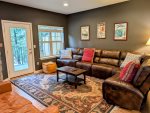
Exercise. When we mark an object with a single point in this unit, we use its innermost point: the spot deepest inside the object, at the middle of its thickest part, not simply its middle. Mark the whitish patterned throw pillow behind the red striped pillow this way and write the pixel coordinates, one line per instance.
(131, 57)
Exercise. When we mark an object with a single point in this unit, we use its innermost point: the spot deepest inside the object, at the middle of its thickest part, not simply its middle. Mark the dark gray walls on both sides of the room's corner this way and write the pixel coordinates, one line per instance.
(135, 12)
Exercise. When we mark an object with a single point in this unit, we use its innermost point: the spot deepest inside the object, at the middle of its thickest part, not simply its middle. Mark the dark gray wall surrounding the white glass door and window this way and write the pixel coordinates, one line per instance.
(36, 17)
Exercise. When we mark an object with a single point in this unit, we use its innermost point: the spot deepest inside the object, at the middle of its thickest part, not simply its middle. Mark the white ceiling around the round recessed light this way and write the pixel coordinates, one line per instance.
(57, 5)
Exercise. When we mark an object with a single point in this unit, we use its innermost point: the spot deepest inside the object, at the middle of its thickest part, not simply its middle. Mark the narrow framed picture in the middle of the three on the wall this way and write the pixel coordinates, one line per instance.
(101, 30)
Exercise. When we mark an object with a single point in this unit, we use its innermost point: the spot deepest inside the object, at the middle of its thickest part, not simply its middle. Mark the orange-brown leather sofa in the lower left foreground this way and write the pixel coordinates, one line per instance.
(11, 102)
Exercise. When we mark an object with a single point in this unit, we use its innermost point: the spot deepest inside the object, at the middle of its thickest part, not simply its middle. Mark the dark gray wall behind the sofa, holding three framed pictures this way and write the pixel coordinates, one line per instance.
(135, 12)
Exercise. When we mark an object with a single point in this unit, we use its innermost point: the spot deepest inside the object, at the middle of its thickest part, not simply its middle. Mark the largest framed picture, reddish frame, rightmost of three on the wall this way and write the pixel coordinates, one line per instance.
(121, 31)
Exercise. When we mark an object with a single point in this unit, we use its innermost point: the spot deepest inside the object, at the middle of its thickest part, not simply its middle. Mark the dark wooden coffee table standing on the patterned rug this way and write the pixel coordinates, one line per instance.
(72, 71)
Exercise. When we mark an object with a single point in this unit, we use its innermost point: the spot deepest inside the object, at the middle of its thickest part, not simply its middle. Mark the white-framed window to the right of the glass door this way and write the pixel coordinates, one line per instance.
(51, 40)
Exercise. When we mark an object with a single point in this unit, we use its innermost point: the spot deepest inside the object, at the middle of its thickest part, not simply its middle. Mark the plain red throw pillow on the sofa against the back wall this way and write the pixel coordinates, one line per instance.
(88, 55)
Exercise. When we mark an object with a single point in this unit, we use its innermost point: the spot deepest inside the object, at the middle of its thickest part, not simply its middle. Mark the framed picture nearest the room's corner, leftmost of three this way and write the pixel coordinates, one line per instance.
(85, 32)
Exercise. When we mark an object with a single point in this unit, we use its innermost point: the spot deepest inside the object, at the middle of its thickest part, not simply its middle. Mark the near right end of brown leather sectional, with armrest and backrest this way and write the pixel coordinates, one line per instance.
(128, 95)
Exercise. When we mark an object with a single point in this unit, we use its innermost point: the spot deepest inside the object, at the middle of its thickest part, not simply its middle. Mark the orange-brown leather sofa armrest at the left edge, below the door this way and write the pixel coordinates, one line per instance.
(5, 87)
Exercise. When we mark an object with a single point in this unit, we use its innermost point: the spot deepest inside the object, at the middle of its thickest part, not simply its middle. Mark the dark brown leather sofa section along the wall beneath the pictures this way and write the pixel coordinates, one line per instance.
(105, 63)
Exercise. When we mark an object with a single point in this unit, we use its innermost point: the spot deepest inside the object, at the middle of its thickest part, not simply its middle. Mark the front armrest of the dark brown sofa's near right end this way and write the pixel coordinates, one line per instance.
(118, 92)
